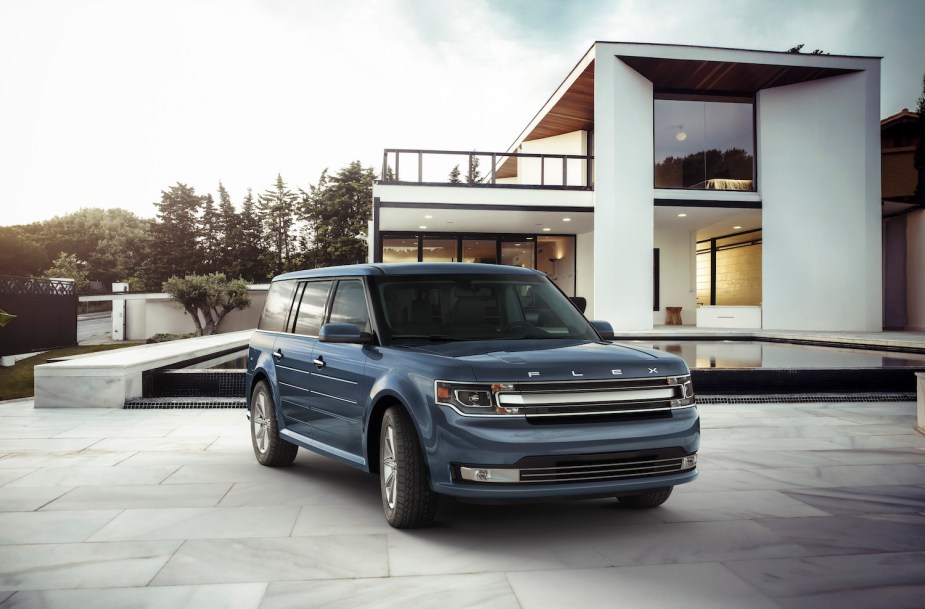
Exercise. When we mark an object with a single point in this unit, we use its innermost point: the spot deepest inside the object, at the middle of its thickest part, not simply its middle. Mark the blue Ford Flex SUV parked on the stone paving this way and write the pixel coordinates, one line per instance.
(481, 382)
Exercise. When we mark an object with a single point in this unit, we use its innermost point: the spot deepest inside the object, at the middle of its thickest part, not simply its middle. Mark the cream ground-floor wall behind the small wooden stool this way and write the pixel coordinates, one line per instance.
(677, 284)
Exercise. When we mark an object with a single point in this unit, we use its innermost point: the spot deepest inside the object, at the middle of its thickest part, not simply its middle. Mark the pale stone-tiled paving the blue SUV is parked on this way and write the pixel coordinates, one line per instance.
(798, 506)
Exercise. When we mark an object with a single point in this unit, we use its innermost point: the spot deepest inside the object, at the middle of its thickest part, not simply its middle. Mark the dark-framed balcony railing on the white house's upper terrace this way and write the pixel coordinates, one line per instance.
(464, 168)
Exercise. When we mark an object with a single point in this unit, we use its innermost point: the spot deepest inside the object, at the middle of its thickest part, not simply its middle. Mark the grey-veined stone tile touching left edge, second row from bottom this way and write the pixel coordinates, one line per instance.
(82, 565)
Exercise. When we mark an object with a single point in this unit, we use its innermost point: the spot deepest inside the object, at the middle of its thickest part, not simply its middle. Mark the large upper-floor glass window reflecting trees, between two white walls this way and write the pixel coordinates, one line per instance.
(704, 144)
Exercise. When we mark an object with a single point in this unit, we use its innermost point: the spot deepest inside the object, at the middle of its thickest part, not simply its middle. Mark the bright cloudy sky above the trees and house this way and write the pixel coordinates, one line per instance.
(107, 103)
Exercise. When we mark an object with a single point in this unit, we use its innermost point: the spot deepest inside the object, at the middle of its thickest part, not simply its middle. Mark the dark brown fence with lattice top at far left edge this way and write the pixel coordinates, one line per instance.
(46, 314)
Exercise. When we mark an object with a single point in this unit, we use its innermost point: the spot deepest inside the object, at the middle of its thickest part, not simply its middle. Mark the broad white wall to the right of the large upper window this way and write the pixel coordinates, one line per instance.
(819, 179)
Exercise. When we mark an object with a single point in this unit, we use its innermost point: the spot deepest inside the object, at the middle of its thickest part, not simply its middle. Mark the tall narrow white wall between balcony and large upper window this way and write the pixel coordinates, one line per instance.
(624, 191)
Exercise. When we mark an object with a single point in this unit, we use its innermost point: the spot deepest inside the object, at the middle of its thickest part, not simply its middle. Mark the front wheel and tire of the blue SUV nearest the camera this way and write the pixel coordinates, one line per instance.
(407, 500)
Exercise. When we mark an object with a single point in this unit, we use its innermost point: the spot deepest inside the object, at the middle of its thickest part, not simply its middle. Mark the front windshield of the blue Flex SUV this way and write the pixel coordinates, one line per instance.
(476, 307)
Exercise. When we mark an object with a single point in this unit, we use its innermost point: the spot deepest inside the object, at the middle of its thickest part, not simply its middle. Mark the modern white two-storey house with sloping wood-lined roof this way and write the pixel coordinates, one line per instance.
(664, 184)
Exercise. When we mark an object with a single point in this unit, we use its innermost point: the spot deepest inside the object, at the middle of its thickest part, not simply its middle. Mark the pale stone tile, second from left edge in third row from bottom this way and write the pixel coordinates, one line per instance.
(199, 523)
